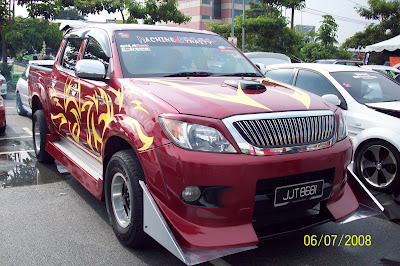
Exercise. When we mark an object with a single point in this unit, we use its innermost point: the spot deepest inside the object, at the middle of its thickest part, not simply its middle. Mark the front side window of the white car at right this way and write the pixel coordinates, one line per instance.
(317, 84)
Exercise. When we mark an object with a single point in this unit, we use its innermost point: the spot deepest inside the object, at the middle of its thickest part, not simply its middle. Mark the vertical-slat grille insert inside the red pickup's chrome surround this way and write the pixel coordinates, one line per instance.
(288, 131)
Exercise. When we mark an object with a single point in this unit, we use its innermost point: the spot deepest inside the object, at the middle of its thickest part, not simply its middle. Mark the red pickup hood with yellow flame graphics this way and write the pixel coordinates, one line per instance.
(213, 97)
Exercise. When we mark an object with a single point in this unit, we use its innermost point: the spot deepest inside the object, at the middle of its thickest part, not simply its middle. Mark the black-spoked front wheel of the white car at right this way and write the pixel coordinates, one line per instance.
(377, 165)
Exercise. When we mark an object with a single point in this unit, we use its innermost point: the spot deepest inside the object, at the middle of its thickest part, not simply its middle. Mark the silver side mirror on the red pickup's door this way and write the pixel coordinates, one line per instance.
(90, 69)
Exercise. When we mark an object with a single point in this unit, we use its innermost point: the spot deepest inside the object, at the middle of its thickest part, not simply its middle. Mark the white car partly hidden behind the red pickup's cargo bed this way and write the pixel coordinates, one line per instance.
(21, 90)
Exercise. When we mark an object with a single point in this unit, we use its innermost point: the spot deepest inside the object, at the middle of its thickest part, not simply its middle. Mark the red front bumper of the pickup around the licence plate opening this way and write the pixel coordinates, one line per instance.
(232, 225)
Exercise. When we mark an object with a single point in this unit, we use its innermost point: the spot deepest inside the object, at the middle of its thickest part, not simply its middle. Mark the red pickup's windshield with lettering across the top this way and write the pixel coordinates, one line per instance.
(168, 53)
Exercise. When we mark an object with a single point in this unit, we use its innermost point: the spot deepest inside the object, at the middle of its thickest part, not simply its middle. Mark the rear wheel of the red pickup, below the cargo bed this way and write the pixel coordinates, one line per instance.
(39, 132)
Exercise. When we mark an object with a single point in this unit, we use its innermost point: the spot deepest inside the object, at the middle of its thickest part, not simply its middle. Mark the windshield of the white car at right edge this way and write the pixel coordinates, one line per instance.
(369, 87)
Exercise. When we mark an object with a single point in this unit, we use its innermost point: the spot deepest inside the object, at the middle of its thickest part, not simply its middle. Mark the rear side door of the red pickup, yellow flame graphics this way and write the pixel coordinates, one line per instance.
(65, 101)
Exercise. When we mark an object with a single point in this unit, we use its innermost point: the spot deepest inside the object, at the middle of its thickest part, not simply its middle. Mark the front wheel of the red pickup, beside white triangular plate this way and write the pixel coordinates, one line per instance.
(122, 189)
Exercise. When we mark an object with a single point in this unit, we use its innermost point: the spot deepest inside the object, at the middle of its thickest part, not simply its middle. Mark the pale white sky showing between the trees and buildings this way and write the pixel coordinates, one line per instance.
(343, 11)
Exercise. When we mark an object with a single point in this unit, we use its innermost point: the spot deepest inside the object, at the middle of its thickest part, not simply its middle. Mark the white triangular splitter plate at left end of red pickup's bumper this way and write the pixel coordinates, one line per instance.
(155, 226)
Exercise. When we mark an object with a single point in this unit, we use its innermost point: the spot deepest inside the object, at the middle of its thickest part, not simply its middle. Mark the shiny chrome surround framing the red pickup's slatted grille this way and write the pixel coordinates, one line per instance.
(283, 131)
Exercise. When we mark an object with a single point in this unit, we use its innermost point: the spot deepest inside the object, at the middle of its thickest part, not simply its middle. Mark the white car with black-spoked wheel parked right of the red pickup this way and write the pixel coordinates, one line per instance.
(371, 104)
